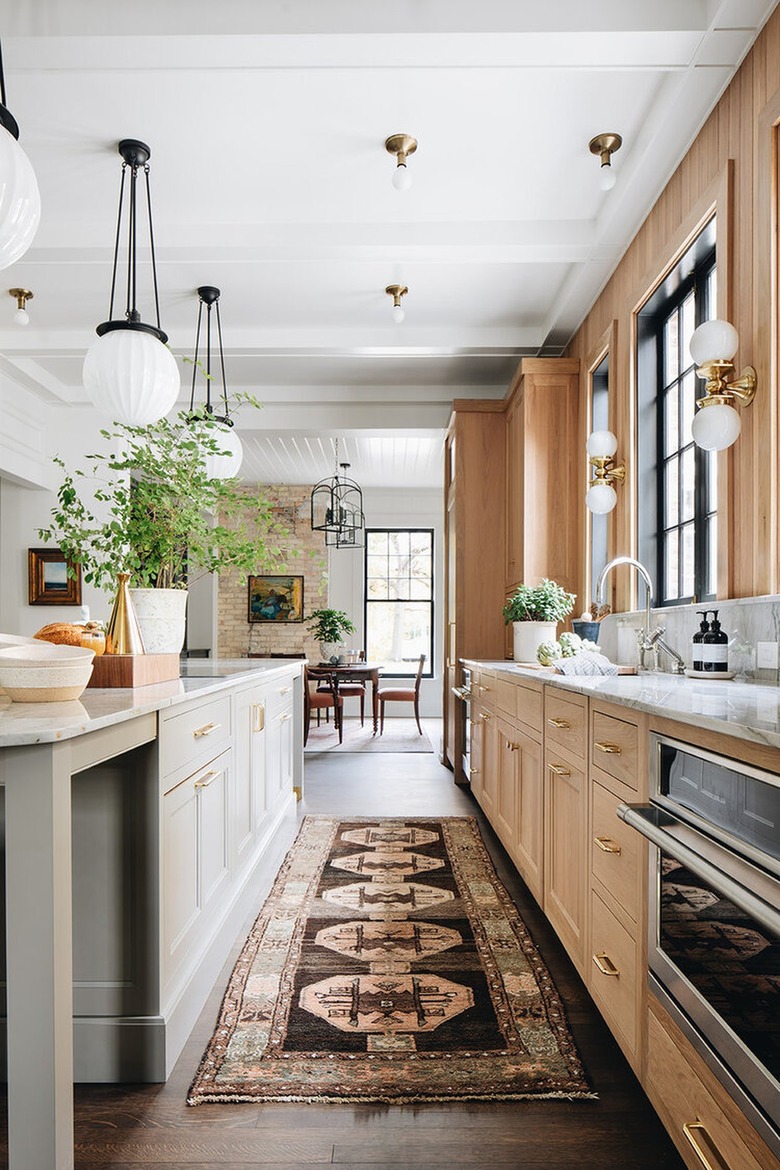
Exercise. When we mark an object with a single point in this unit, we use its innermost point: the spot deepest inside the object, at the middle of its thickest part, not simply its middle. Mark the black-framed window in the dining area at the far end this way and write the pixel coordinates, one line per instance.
(401, 598)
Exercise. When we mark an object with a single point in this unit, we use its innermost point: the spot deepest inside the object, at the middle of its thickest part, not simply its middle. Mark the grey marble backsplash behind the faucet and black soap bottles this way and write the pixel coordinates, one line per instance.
(747, 622)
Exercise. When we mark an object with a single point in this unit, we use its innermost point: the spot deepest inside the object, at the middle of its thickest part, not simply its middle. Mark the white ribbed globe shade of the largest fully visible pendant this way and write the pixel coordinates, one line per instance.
(132, 377)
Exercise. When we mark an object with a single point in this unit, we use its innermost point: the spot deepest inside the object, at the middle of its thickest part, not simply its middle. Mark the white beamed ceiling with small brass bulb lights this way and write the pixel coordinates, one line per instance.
(267, 123)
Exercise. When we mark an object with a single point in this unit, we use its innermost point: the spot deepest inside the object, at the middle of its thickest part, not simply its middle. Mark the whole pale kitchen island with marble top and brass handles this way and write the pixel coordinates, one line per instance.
(134, 823)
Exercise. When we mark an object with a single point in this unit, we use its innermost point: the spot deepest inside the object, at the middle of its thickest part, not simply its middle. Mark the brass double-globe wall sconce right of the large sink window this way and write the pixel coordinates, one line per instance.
(717, 424)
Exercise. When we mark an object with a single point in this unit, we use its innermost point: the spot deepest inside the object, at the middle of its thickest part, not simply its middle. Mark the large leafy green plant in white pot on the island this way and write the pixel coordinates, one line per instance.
(149, 507)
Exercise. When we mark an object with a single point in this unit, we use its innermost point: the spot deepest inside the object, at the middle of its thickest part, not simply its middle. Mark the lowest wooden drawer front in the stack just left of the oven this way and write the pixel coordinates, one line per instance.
(613, 972)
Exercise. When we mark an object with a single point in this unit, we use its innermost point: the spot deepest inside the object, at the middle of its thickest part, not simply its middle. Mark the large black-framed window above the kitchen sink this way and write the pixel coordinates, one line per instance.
(679, 506)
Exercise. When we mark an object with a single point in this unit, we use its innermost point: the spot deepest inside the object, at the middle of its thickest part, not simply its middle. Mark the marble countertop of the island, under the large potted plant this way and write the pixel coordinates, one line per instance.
(27, 724)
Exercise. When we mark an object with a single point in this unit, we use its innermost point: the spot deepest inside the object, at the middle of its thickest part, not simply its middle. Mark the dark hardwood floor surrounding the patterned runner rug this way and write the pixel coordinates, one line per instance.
(126, 1127)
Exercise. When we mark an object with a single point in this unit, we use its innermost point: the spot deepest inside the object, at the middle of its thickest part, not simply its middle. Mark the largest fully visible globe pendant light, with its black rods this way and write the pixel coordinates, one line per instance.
(129, 373)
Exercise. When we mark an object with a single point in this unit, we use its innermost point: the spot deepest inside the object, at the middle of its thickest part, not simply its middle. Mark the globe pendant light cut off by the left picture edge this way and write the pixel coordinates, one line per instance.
(20, 201)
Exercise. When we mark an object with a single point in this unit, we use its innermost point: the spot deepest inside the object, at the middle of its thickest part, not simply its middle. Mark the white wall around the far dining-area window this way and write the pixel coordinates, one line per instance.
(395, 508)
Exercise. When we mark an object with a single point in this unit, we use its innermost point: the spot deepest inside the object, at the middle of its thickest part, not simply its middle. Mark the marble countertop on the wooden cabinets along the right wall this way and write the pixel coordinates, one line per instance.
(746, 711)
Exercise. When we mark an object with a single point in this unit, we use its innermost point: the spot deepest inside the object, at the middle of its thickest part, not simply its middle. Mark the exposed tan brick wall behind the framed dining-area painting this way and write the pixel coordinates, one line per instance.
(306, 556)
